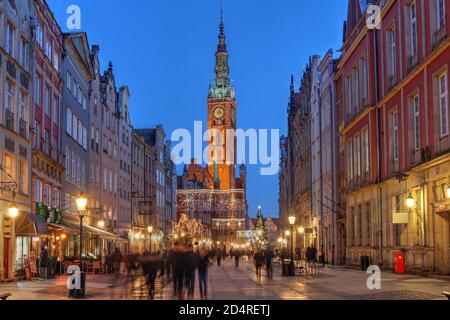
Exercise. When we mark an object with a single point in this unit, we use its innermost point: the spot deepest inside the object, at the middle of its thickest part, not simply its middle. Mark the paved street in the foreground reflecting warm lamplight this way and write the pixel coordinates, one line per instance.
(230, 283)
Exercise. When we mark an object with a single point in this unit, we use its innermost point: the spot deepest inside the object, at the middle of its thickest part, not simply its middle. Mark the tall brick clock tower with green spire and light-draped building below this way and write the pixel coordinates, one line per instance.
(223, 195)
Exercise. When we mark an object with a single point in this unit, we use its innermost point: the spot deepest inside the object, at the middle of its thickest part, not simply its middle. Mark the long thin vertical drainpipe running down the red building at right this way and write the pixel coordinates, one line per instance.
(379, 160)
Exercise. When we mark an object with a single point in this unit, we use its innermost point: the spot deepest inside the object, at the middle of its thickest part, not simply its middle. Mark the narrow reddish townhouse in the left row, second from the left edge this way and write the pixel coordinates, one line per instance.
(47, 169)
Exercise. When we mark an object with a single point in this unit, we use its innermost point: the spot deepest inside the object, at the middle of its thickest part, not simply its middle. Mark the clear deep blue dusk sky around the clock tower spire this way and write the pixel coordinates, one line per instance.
(164, 51)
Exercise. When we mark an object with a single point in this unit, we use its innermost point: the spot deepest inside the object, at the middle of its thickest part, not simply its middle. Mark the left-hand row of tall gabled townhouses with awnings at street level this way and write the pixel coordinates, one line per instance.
(65, 131)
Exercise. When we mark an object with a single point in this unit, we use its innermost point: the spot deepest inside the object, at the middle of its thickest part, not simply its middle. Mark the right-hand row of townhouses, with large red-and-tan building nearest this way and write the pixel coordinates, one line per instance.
(388, 99)
